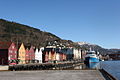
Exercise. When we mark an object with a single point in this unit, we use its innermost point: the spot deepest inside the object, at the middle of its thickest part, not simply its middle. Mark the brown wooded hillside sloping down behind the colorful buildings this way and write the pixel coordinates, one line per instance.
(18, 33)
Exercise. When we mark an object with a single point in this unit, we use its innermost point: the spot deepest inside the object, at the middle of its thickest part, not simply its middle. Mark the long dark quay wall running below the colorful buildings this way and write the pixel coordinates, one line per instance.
(45, 66)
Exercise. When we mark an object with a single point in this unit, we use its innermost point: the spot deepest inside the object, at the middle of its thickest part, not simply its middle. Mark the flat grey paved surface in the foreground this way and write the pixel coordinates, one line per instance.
(51, 75)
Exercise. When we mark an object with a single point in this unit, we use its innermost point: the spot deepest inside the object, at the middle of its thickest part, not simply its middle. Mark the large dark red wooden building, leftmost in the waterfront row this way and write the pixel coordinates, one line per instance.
(8, 53)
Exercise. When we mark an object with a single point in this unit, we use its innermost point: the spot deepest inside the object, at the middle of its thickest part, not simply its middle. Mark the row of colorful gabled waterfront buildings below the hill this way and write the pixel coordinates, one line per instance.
(10, 53)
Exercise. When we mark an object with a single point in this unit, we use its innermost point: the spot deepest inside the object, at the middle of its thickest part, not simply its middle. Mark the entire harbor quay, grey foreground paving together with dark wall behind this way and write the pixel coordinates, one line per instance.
(68, 71)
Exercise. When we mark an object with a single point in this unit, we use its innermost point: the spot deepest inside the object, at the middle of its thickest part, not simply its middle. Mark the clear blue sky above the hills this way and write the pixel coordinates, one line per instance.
(93, 21)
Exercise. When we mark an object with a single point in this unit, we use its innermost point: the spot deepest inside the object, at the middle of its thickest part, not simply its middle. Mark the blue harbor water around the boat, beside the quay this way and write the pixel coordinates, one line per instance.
(111, 67)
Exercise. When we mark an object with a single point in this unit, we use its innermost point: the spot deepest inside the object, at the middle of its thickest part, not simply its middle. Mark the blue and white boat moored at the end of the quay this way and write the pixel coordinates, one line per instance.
(91, 57)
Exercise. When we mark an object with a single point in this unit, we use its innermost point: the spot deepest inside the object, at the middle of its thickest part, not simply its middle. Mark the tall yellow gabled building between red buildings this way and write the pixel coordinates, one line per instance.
(21, 54)
